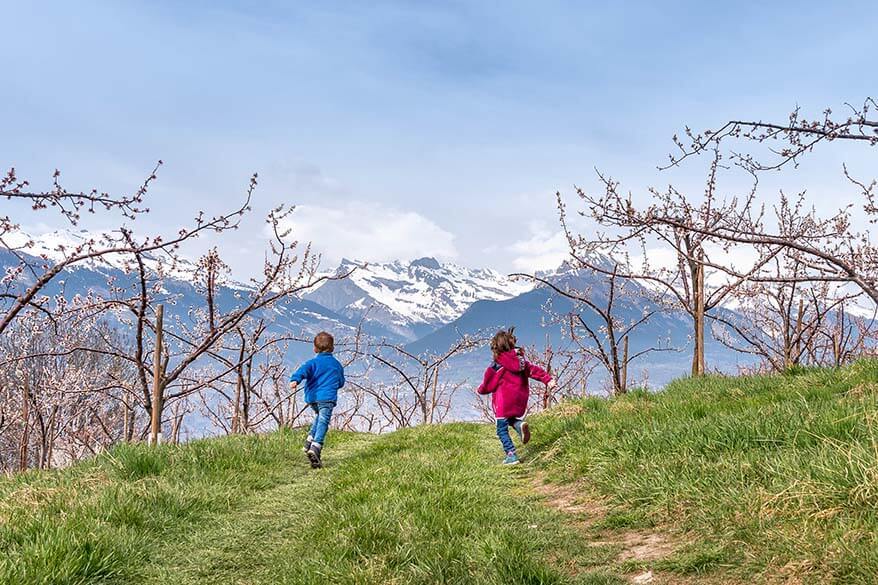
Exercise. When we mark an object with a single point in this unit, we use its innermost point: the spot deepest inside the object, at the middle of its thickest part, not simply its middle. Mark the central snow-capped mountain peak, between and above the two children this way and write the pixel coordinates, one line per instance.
(413, 298)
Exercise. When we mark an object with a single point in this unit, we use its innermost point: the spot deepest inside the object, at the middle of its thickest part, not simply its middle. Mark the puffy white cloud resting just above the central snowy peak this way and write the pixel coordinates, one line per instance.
(370, 232)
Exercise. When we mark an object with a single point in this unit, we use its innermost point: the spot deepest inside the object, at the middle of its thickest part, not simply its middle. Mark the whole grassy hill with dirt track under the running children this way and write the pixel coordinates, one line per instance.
(718, 480)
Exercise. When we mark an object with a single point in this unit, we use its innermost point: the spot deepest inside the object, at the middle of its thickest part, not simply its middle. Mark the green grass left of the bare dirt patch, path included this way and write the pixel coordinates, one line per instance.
(425, 505)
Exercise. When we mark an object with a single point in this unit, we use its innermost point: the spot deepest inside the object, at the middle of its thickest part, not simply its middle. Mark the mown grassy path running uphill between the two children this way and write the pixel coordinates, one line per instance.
(425, 505)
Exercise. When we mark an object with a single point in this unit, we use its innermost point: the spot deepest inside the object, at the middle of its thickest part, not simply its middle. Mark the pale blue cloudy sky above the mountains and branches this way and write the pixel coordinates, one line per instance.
(405, 129)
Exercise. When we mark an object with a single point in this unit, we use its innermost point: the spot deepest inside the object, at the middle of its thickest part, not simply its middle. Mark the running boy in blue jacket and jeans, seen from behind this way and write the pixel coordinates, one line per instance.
(323, 376)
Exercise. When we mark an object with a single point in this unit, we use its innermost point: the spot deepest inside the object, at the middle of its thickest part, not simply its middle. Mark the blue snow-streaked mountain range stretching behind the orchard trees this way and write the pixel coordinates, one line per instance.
(423, 304)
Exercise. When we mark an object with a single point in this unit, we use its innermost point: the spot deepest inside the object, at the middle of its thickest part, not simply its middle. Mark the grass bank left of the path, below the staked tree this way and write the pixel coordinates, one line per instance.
(102, 521)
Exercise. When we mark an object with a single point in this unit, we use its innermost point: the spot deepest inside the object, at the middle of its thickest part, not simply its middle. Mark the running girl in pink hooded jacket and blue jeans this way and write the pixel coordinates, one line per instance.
(506, 379)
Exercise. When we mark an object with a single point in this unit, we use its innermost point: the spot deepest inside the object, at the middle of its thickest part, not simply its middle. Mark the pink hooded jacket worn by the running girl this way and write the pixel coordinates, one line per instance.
(507, 380)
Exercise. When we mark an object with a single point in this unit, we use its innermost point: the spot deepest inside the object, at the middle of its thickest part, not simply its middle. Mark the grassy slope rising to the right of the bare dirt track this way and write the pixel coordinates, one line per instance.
(761, 476)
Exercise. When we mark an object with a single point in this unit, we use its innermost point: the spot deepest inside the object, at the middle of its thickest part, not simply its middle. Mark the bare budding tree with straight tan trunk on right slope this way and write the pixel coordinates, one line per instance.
(687, 284)
